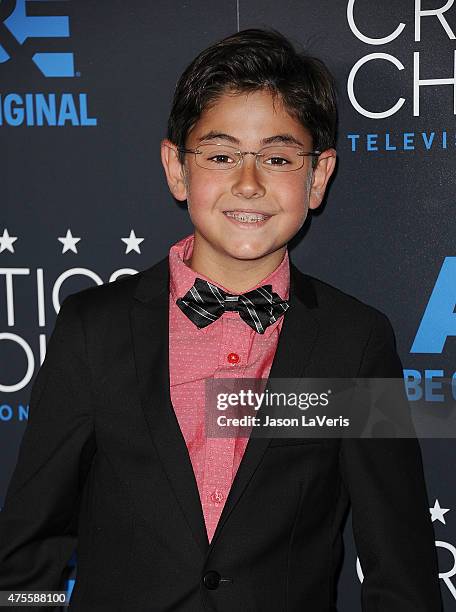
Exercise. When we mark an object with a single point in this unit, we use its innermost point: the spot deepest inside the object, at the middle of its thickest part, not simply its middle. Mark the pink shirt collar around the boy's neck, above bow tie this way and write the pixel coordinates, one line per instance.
(182, 277)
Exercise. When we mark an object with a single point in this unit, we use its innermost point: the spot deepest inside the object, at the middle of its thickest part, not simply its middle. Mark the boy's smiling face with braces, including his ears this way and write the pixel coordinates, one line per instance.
(284, 196)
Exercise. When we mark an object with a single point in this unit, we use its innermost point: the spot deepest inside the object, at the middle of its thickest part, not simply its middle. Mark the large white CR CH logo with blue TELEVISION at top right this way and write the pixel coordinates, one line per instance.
(411, 71)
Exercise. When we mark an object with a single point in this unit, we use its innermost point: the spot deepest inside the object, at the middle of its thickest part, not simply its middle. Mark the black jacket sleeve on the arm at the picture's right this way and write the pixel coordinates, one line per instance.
(391, 522)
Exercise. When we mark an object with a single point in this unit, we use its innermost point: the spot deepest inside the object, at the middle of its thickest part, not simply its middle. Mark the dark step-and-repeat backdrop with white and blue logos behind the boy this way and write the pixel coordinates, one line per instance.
(85, 90)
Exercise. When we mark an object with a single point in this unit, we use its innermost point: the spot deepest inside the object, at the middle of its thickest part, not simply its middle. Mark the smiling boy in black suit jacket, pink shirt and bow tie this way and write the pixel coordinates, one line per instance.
(166, 519)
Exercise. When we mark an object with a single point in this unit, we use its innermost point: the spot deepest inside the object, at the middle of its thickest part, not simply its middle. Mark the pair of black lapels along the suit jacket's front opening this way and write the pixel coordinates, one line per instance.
(150, 330)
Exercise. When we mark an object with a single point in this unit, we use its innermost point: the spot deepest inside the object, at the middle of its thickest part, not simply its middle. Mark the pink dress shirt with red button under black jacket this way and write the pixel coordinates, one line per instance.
(199, 354)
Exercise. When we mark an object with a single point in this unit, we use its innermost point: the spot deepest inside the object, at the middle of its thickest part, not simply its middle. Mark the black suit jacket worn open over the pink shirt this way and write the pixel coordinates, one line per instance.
(103, 466)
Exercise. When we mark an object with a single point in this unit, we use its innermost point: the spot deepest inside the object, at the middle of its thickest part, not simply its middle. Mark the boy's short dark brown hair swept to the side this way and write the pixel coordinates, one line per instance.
(251, 60)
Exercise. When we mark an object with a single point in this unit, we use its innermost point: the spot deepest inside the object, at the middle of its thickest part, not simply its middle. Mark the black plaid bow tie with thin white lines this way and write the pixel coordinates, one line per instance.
(204, 303)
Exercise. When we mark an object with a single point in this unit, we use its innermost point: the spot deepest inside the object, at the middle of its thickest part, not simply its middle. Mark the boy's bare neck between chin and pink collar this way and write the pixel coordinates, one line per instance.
(236, 275)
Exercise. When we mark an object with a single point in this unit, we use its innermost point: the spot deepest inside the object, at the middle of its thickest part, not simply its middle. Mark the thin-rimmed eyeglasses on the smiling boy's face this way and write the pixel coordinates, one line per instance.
(281, 158)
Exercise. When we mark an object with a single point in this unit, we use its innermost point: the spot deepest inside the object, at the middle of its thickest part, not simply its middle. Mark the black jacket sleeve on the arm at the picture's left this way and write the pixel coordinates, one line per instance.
(39, 517)
